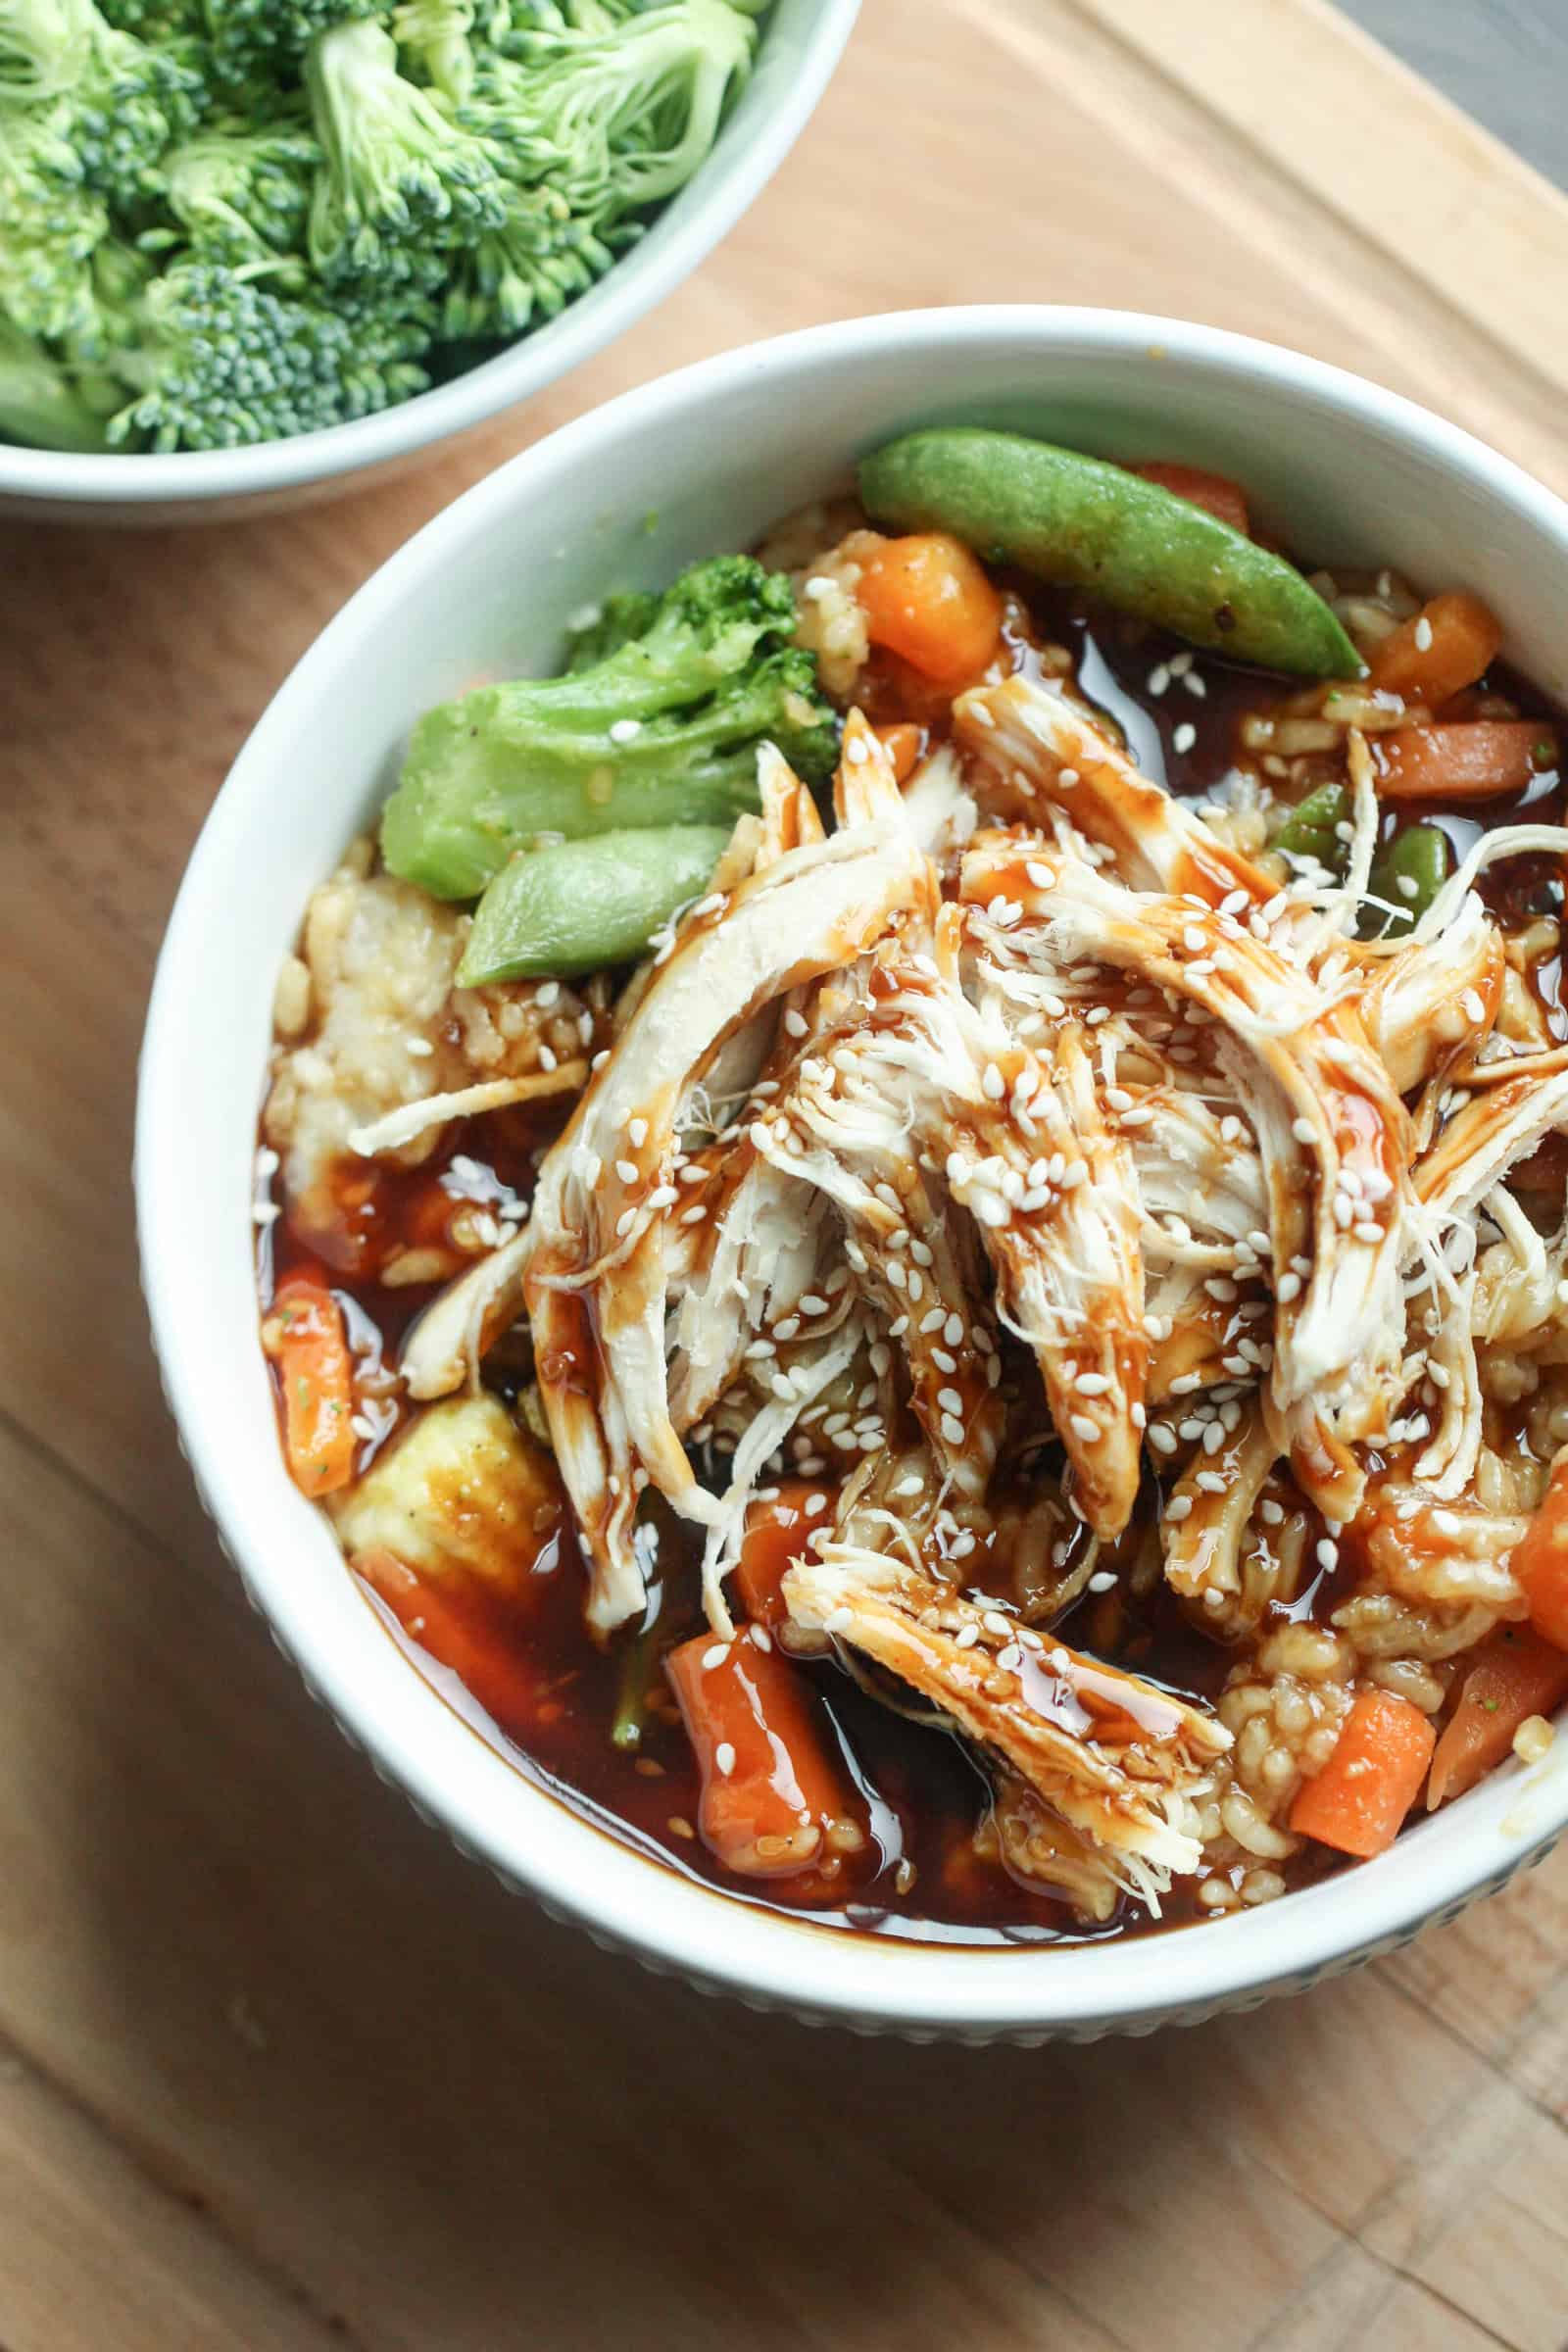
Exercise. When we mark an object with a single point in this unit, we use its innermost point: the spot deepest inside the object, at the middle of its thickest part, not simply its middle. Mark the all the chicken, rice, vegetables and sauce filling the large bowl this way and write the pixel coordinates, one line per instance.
(918, 1212)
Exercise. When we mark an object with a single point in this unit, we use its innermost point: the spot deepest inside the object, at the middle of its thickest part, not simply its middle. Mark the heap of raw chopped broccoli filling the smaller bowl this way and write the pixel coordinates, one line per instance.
(227, 222)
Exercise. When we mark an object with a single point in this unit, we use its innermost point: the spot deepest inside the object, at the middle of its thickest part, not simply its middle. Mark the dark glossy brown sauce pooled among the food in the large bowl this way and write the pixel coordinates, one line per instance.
(554, 1692)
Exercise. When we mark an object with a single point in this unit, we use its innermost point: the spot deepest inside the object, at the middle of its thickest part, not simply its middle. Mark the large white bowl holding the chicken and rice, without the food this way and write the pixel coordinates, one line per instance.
(1336, 467)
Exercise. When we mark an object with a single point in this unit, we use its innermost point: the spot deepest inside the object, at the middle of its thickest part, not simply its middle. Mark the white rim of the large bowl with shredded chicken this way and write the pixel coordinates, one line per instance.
(617, 1895)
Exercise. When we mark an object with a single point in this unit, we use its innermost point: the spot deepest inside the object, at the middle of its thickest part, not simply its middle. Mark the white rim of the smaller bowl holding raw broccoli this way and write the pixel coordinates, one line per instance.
(678, 243)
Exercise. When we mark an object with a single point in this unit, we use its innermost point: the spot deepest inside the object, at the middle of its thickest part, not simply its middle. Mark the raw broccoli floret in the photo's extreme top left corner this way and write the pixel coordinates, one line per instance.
(121, 100)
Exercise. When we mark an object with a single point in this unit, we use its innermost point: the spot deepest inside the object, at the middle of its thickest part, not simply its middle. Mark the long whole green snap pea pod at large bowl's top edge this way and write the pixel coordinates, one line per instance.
(1080, 523)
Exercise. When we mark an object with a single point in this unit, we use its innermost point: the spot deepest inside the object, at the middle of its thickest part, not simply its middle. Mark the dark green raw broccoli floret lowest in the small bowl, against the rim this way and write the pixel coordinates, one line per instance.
(220, 361)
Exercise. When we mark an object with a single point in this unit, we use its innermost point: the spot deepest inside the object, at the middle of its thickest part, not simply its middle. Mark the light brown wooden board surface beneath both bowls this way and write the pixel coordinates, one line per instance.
(276, 2066)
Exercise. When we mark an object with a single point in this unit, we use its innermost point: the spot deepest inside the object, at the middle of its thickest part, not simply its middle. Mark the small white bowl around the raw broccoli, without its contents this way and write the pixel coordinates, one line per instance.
(800, 46)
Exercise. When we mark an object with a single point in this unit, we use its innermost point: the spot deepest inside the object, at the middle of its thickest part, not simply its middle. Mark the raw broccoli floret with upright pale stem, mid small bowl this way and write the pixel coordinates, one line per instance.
(403, 185)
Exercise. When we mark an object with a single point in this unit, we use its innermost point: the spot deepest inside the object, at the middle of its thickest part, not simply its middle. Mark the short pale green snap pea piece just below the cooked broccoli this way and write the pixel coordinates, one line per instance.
(587, 904)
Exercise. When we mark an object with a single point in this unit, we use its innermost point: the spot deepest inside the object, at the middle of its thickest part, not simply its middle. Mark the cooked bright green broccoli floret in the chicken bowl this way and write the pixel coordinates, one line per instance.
(659, 730)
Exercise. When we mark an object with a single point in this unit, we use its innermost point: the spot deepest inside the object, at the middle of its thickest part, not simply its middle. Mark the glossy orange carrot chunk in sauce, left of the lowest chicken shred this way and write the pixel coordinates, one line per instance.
(770, 1791)
